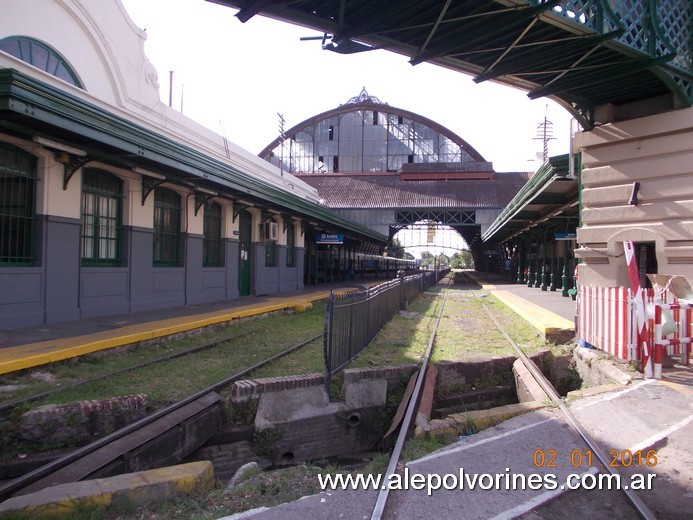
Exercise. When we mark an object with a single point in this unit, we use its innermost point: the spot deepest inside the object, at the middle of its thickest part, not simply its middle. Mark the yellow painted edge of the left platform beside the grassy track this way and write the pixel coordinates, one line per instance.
(30, 355)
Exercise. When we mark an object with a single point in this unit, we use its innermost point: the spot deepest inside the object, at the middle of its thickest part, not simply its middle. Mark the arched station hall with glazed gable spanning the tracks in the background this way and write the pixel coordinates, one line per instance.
(389, 169)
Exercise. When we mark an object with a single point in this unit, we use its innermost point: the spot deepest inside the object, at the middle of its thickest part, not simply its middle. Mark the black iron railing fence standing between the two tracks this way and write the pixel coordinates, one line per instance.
(353, 319)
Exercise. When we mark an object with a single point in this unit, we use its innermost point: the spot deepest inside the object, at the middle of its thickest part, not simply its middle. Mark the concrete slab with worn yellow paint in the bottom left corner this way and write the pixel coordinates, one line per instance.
(131, 489)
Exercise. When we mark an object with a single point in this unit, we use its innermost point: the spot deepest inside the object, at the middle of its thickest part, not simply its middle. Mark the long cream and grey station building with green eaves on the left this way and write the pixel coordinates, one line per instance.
(111, 201)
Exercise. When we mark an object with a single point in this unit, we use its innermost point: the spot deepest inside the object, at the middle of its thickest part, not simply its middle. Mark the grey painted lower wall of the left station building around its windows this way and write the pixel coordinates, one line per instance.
(59, 289)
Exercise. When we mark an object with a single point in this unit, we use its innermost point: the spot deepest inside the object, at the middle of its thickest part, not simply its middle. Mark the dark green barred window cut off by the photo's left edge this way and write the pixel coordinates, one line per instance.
(17, 206)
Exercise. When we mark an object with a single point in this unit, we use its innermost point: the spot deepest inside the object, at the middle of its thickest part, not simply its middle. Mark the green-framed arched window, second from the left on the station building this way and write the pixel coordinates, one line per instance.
(102, 208)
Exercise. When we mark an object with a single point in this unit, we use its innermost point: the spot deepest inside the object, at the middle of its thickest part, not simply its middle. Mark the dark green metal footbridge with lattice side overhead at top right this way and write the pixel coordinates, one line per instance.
(584, 54)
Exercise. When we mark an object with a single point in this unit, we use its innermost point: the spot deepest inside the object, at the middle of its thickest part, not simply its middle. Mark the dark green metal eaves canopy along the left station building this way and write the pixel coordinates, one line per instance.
(31, 108)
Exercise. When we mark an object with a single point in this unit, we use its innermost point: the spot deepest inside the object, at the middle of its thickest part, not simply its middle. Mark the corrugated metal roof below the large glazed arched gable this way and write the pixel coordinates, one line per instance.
(388, 191)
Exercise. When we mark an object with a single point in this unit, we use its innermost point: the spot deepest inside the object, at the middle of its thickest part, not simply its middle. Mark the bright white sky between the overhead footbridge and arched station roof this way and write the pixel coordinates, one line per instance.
(235, 79)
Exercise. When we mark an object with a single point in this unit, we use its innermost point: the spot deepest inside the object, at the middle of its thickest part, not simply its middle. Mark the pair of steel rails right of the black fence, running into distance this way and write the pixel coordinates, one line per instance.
(381, 504)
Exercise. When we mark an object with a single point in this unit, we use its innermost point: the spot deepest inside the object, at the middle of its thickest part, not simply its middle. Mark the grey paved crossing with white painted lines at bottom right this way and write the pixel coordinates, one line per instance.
(541, 450)
